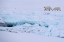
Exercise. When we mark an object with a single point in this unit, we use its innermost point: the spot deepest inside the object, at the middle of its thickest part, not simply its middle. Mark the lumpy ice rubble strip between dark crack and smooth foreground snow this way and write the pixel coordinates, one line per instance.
(44, 31)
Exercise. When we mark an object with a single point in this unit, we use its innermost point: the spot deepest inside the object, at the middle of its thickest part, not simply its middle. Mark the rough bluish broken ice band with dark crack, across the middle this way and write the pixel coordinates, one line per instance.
(42, 23)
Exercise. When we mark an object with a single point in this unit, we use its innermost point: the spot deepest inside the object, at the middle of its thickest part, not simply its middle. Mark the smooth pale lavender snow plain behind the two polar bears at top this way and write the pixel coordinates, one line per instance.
(28, 5)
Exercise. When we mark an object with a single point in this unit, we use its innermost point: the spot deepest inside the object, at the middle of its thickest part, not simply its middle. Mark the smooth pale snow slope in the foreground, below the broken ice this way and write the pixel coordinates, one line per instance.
(26, 37)
